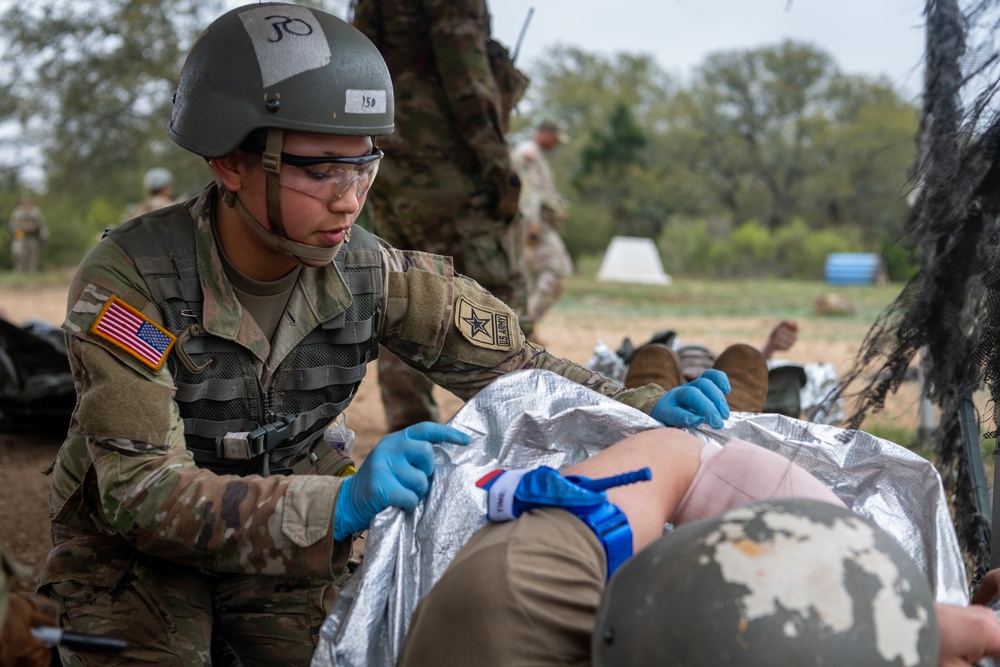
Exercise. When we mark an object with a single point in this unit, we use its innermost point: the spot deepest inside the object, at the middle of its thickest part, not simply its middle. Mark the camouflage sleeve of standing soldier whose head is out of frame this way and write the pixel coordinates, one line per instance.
(458, 33)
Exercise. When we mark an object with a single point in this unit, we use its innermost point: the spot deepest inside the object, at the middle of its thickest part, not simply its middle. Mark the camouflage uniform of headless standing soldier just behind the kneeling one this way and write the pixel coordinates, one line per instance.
(445, 185)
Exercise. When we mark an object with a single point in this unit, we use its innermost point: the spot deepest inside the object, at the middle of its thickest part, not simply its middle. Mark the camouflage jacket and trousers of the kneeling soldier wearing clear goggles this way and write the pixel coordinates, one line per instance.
(154, 544)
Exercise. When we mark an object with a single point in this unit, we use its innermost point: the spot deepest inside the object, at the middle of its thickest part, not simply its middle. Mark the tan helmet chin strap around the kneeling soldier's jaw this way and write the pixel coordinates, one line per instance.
(306, 255)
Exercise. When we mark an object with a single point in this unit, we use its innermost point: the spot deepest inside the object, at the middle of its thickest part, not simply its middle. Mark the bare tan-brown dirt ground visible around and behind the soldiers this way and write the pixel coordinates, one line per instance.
(24, 528)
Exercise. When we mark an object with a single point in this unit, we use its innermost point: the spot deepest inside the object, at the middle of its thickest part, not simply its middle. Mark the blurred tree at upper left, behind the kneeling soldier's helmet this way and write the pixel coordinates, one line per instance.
(93, 84)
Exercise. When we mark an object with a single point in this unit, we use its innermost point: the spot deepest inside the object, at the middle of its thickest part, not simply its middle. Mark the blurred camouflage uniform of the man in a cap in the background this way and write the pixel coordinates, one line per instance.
(547, 262)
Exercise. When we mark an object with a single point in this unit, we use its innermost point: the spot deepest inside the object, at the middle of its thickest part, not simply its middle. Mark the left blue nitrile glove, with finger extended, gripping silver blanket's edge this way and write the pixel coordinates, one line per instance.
(396, 473)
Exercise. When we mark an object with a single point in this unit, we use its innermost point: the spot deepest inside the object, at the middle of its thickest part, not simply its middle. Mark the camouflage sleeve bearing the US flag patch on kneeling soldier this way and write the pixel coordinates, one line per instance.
(128, 431)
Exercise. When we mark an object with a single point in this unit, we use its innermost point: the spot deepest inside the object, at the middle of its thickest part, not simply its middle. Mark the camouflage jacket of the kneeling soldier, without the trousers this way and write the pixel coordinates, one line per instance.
(133, 466)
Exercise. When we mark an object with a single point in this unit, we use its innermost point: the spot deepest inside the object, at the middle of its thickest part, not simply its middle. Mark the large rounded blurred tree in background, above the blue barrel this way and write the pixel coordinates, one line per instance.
(780, 131)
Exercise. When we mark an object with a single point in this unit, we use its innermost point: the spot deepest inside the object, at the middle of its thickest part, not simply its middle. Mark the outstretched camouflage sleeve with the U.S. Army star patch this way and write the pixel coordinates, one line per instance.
(463, 338)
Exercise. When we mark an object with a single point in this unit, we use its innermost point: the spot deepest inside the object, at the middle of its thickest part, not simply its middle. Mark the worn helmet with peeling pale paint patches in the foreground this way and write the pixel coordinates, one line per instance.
(778, 582)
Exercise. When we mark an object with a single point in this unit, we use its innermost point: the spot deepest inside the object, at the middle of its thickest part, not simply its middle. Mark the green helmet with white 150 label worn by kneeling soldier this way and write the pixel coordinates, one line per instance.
(282, 66)
